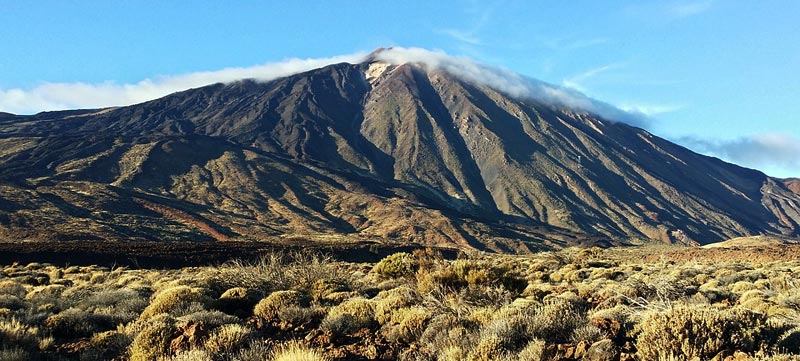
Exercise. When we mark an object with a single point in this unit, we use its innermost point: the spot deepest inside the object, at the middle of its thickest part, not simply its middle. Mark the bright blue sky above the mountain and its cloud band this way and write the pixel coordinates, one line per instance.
(721, 77)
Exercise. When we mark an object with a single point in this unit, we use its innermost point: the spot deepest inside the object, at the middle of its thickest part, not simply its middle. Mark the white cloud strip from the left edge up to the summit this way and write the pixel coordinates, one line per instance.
(58, 96)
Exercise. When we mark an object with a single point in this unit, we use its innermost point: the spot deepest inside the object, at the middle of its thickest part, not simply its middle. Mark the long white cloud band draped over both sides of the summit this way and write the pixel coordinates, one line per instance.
(55, 96)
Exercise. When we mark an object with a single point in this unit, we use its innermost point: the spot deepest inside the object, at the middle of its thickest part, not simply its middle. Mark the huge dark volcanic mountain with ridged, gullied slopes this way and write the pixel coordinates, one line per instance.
(396, 152)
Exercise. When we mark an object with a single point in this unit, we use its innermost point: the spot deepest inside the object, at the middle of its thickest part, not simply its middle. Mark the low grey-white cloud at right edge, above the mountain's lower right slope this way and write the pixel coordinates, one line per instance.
(766, 151)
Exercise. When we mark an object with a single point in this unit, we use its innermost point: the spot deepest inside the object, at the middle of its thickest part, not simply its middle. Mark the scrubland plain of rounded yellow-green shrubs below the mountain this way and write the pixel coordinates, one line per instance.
(655, 303)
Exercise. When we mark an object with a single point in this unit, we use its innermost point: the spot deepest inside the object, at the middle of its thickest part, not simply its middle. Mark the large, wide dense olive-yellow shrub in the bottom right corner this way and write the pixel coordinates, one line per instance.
(698, 332)
